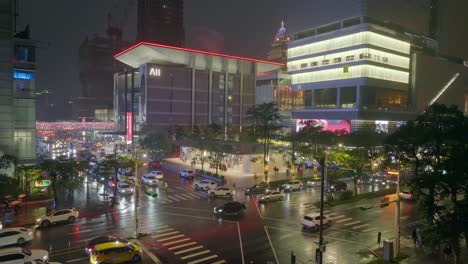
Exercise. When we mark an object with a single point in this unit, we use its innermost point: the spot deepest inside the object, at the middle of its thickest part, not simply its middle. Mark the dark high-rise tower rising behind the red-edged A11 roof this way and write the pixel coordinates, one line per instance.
(161, 21)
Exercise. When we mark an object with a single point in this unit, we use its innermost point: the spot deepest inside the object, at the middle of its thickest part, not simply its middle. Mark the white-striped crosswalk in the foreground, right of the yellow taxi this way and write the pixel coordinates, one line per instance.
(183, 247)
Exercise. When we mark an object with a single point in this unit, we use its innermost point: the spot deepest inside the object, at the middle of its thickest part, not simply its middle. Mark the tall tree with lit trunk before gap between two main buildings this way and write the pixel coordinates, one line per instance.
(265, 121)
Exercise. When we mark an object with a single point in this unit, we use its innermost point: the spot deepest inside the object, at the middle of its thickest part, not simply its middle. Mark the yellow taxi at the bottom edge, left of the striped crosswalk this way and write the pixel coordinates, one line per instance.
(115, 252)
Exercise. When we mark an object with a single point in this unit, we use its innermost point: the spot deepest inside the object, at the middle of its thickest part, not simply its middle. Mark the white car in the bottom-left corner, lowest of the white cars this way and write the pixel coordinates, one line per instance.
(22, 255)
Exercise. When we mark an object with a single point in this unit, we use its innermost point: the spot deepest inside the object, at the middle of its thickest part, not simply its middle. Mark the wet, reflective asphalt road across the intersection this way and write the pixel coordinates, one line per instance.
(180, 227)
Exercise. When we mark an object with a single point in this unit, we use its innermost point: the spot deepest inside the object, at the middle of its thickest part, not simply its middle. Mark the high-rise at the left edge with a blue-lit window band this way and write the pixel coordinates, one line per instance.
(17, 88)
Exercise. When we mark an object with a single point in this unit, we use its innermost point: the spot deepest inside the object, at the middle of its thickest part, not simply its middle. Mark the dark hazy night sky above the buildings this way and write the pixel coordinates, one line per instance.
(240, 27)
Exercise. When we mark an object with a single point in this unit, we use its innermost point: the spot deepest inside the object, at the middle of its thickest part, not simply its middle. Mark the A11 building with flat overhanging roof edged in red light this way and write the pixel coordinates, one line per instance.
(173, 86)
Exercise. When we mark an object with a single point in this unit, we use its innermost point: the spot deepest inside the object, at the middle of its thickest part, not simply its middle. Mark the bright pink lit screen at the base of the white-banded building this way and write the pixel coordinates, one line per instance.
(334, 126)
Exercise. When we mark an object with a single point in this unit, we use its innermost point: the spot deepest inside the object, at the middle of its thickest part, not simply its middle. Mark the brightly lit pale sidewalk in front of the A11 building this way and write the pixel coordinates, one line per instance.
(240, 179)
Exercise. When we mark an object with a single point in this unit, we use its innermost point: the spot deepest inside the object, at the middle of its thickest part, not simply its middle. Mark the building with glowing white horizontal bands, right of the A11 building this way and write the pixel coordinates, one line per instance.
(368, 73)
